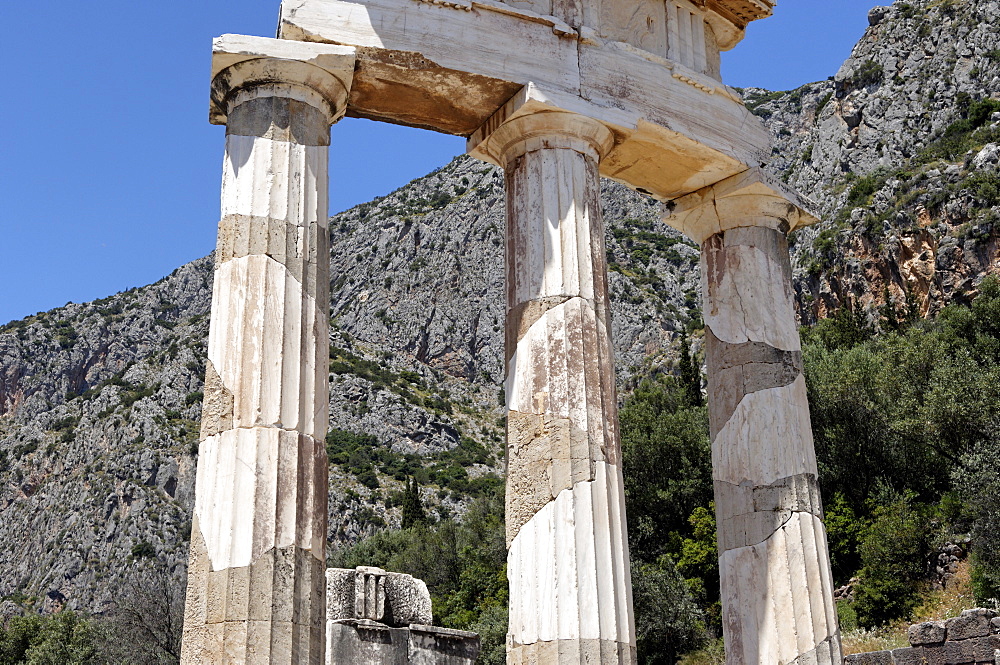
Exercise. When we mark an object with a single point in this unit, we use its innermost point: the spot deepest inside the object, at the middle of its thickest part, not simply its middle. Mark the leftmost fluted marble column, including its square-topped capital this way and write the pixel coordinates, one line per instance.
(256, 578)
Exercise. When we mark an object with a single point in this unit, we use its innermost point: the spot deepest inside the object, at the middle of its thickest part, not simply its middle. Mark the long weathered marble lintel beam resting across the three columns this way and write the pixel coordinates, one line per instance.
(449, 69)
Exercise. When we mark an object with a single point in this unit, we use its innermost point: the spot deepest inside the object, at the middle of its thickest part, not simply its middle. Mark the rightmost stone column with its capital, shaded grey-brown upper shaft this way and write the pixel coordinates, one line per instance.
(777, 588)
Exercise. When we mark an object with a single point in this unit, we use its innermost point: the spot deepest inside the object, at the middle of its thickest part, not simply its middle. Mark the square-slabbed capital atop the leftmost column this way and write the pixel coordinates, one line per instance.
(245, 68)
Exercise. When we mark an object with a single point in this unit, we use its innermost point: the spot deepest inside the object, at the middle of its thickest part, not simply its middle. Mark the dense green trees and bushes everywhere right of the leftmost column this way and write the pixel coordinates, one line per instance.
(905, 419)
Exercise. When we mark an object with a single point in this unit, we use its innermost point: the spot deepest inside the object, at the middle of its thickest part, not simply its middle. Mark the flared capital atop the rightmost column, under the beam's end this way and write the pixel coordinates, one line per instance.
(751, 198)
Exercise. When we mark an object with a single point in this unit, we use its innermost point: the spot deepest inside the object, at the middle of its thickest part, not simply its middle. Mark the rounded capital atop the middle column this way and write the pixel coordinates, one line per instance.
(548, 129)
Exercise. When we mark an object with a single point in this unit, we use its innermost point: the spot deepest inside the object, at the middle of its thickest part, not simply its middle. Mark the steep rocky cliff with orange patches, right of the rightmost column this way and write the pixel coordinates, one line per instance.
(900, 150)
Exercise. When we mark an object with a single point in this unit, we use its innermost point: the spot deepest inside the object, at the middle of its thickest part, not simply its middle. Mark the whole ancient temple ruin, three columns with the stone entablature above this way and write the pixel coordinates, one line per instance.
(559, 93)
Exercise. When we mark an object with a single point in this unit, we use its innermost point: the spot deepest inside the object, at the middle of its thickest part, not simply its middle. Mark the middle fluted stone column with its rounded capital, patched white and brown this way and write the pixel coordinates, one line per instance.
(568, 562)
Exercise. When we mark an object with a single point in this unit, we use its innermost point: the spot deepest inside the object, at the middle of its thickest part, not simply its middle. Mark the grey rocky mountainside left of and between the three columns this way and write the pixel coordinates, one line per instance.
(100, 402)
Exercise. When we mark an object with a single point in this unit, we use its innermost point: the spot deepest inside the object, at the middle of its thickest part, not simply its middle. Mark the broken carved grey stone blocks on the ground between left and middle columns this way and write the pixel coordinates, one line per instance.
(376, 617)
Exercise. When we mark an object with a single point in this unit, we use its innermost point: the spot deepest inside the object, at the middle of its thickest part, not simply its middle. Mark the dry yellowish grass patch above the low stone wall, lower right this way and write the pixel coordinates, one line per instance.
(935, 605)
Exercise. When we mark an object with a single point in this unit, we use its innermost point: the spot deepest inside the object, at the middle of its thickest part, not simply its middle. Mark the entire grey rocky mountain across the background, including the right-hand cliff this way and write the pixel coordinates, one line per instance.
(100, 402)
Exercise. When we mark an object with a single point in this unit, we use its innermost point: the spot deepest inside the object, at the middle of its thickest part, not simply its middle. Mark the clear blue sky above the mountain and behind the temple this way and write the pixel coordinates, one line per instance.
(109, 170)
